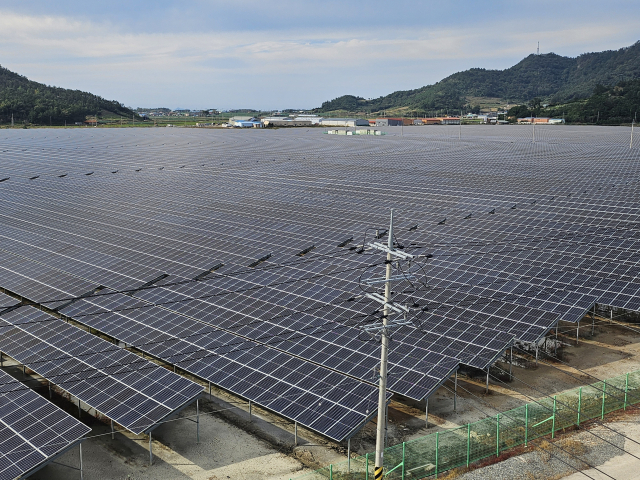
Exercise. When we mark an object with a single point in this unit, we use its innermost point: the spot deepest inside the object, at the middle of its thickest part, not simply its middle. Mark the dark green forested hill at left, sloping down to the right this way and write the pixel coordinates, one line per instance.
(41, 104)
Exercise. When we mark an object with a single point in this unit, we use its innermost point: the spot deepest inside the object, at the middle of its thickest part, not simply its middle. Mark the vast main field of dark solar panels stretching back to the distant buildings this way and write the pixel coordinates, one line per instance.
(522, 234)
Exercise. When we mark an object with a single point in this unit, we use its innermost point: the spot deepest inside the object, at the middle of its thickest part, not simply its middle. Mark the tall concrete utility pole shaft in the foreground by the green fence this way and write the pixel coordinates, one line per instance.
(382, 394)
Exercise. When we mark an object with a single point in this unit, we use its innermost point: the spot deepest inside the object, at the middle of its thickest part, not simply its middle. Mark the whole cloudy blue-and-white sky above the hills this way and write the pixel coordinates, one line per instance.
(289, 54)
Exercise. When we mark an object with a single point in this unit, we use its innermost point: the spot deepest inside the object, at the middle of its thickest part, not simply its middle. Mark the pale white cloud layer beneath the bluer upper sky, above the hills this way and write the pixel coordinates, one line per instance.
(271, 68)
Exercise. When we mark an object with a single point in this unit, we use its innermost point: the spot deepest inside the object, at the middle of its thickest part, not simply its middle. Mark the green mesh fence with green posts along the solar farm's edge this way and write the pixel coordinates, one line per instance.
(441, 451)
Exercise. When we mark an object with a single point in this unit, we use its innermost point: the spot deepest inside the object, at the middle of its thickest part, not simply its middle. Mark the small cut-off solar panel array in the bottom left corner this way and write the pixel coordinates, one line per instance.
(33, 431)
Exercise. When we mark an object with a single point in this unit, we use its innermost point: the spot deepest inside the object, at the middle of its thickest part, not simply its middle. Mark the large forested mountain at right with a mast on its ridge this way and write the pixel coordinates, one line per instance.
(551, 77)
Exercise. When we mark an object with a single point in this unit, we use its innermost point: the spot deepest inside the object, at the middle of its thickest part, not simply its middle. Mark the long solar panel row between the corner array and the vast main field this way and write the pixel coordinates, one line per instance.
(132, 391)
